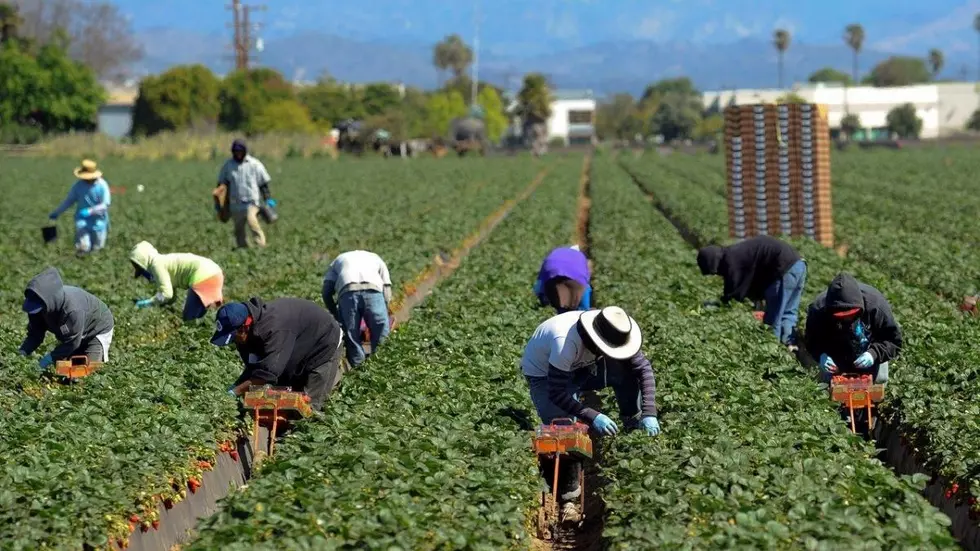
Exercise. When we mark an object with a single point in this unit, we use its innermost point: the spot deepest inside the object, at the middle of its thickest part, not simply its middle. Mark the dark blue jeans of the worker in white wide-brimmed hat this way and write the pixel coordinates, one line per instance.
(614, 374)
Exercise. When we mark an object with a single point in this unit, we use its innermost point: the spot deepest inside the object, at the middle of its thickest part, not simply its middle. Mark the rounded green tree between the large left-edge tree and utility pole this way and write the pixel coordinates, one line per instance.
(181, 97)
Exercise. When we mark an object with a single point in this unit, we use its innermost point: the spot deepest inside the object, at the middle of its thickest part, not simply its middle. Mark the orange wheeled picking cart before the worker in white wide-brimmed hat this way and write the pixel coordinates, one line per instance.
(563, 437)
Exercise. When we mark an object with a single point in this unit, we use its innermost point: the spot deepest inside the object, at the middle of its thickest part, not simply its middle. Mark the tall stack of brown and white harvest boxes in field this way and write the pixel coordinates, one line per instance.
(778, 161)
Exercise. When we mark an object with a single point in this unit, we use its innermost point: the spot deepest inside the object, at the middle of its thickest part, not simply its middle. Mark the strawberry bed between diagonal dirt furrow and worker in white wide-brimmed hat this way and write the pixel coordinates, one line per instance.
(425, 446)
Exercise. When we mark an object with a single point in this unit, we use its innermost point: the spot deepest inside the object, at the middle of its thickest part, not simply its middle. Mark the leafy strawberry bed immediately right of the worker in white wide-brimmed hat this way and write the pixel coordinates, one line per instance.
(753, 454)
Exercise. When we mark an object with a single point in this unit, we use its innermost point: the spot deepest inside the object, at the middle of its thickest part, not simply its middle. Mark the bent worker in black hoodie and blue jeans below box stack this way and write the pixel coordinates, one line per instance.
(757, 268)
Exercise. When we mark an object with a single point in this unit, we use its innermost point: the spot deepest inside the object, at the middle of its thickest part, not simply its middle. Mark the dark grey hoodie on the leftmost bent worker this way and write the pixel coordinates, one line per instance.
(72, 315)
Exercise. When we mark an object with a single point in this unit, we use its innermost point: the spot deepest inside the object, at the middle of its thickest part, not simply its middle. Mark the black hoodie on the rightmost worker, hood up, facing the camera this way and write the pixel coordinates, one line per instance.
(826, 335)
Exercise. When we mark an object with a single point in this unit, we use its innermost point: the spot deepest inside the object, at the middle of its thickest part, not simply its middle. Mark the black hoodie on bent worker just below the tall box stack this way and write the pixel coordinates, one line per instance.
(748, 267)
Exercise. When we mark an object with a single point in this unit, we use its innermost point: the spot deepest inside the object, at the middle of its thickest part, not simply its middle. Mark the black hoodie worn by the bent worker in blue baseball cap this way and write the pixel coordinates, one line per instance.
(289, 338)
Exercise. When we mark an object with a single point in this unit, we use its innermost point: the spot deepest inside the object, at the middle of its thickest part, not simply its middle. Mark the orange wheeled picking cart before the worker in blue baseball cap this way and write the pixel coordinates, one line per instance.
(274, 409)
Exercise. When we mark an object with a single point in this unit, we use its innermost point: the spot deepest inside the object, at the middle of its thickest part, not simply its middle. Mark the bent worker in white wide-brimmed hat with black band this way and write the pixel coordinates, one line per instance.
(576, 351)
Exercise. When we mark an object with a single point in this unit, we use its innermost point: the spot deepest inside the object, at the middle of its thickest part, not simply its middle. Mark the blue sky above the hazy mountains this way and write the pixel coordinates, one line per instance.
(513, 27)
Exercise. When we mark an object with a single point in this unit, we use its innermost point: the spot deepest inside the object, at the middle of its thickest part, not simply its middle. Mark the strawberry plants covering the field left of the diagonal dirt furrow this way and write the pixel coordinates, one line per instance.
(76, 461)
